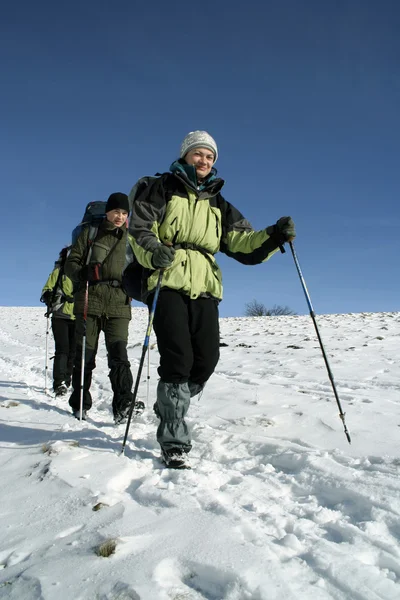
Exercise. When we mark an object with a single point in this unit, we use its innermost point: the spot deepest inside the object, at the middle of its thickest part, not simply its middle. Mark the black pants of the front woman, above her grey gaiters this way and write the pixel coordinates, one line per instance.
(187, 337)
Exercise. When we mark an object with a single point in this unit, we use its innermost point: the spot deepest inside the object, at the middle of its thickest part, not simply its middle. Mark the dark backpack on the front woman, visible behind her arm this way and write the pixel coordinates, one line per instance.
(134, 276)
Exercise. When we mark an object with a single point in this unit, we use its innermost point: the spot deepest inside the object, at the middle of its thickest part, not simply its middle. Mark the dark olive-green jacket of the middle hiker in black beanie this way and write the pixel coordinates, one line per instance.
(108, 248)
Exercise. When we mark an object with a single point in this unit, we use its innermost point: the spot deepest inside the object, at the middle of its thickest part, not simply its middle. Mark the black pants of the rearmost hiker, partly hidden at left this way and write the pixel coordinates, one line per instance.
(64, 338)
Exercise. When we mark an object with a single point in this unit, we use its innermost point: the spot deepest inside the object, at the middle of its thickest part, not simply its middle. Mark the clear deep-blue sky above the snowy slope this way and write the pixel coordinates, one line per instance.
(302, 97)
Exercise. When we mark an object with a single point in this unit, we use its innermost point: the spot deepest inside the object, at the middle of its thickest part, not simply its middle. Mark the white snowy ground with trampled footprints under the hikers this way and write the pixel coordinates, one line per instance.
(277, 506)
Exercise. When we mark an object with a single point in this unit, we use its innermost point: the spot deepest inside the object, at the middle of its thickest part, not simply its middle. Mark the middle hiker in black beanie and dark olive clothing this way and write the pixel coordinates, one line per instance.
(108, 307)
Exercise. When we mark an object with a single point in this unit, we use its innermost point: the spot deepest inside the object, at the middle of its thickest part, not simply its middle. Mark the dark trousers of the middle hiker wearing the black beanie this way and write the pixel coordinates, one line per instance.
(116, 336)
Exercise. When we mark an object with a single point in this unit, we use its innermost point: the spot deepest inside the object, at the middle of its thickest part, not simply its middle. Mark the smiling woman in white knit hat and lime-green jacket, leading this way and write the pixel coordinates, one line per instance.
(178, 223)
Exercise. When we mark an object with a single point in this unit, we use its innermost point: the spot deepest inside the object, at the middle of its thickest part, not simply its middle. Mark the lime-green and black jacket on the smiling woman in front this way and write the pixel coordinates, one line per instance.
(174, 209)
